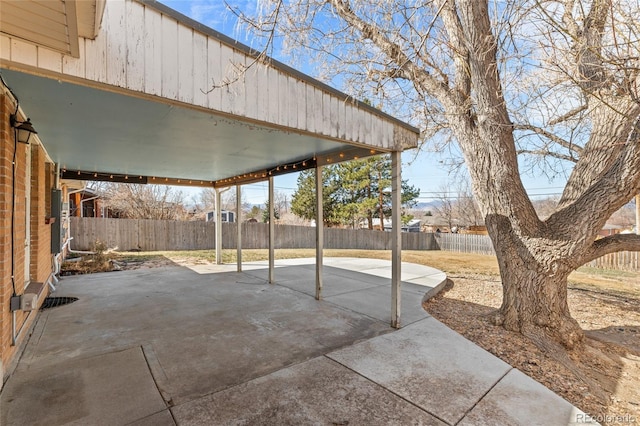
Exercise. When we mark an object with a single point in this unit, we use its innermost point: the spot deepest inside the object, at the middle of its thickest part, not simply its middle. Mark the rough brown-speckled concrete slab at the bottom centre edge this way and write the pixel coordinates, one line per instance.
(316, 392)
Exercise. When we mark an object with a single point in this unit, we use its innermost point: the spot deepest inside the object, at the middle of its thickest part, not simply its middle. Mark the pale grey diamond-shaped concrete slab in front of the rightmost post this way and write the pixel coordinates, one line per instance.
(441, 372)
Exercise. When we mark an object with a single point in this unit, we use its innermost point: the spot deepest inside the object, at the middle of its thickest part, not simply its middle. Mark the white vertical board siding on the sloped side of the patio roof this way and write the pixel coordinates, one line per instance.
(143, 50)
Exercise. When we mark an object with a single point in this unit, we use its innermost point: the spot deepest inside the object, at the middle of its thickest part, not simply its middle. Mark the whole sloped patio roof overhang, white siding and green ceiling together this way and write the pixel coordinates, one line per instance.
(111, 115)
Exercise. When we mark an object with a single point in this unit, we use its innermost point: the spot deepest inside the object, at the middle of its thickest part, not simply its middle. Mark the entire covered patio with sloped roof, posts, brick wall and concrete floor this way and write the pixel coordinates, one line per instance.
(132, 91)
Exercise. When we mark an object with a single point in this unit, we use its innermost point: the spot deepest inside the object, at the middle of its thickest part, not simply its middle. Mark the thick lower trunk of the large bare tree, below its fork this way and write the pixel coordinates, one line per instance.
(534, 275)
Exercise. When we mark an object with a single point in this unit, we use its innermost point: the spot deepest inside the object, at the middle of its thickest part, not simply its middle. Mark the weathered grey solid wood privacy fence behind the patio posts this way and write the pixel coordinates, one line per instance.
(158, 235)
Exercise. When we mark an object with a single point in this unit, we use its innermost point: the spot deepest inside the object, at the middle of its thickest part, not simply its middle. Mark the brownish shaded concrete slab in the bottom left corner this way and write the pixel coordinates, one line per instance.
(107, 389)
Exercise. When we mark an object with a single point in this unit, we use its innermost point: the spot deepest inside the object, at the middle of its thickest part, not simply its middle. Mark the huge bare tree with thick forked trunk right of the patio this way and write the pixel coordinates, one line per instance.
(555, 82)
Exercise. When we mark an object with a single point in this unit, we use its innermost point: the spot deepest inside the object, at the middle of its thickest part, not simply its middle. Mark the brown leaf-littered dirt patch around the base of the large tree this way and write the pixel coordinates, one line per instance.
(604, 381)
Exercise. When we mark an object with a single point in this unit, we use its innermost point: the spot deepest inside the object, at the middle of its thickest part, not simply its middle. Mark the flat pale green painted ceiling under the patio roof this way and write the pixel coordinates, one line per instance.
(95, 130)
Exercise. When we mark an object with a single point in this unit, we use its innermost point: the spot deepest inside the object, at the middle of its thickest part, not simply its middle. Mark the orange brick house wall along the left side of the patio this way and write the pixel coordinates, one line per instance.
(40, 262)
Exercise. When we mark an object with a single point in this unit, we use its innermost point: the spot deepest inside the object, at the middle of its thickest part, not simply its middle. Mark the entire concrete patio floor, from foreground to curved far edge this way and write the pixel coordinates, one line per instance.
(209, 345)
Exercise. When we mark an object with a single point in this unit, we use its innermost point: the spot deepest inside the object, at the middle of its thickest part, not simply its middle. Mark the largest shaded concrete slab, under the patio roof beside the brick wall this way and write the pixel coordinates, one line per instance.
(207, 332)
